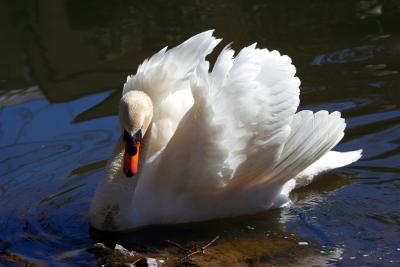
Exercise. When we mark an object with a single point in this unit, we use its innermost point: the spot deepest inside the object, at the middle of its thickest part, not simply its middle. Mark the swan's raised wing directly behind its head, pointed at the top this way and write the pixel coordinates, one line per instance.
(164, 77)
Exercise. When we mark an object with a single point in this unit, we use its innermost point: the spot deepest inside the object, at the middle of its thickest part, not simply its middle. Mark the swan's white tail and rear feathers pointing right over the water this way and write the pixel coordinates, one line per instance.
(307, 150)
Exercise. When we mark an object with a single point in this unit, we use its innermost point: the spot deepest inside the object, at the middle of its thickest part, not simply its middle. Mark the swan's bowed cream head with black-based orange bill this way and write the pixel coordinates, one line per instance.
(135, 114)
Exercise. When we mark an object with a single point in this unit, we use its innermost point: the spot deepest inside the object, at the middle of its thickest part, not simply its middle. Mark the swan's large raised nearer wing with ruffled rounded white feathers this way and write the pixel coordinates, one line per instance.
(239, 123)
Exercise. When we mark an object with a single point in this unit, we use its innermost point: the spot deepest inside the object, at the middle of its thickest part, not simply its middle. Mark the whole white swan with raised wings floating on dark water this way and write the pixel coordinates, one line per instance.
(197, 145)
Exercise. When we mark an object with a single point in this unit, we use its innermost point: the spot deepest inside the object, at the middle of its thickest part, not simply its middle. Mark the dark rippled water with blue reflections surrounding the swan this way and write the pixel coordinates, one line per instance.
(62, 67)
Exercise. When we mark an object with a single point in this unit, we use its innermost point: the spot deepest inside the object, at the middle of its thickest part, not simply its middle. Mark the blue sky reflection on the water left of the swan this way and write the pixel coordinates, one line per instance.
(41, 151)
